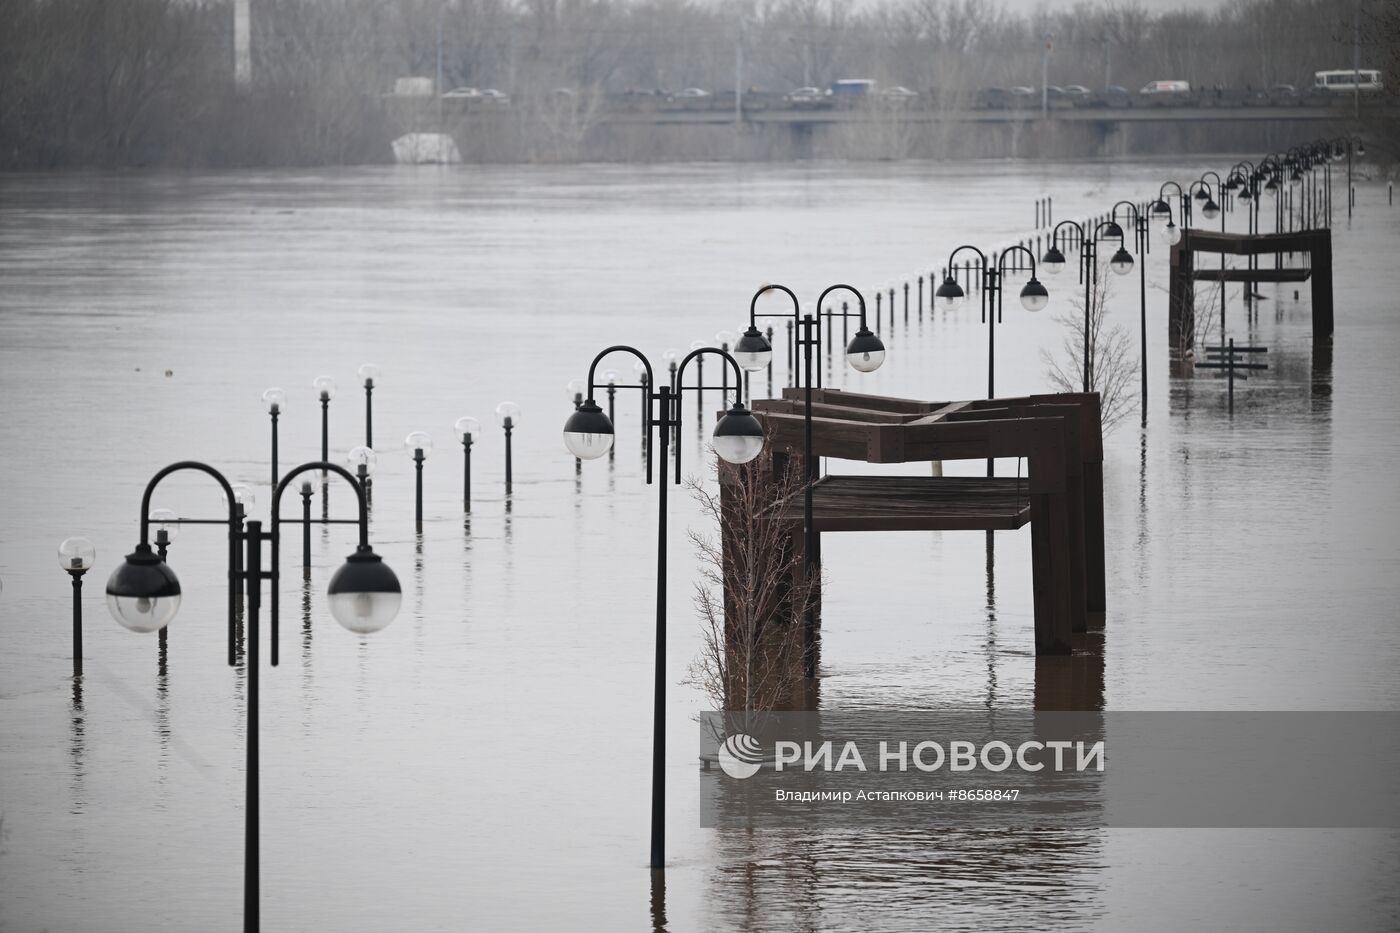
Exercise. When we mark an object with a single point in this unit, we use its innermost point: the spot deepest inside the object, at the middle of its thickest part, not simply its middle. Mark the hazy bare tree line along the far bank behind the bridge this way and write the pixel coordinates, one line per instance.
(129, 83)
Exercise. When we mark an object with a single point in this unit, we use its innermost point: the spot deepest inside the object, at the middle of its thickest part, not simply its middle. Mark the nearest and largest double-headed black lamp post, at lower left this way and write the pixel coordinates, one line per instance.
(143, 595)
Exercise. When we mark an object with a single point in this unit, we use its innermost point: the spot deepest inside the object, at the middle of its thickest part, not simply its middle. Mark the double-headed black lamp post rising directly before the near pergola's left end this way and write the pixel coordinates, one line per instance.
(866, 354)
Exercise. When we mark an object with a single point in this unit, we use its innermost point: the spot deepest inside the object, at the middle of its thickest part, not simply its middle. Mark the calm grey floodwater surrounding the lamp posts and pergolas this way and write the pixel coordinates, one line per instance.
(485, 761)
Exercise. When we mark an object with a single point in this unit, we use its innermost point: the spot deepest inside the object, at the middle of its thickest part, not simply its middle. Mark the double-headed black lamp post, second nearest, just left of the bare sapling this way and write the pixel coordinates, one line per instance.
(589, 435)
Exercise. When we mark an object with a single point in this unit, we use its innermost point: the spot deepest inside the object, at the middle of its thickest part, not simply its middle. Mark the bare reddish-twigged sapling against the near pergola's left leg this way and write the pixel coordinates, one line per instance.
(752, 595)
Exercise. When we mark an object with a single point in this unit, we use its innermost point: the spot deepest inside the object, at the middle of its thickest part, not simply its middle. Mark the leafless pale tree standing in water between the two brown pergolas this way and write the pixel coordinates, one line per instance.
(1114, 364)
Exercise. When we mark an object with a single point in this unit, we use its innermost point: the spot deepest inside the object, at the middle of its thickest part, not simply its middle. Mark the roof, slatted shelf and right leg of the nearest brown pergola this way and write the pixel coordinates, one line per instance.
(1060, 497)
